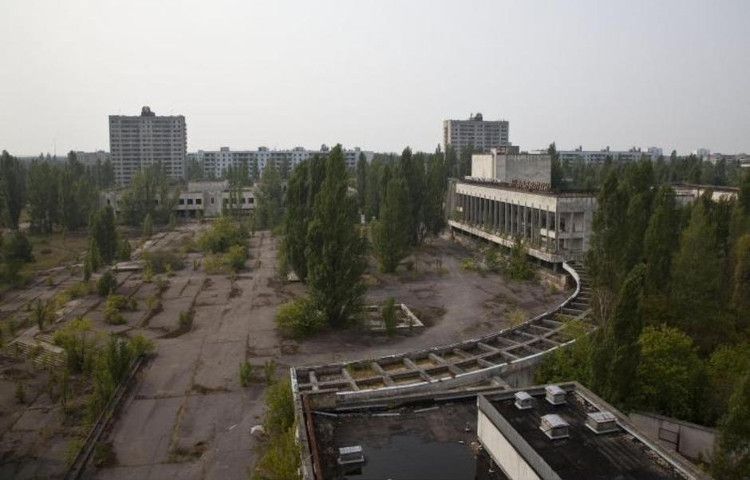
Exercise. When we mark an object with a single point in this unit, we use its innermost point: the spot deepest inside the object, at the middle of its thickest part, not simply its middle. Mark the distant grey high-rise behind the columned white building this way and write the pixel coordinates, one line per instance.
(476, 133)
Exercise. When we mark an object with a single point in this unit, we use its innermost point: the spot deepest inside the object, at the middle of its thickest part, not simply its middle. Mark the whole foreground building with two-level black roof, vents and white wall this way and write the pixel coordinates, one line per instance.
(559, 432)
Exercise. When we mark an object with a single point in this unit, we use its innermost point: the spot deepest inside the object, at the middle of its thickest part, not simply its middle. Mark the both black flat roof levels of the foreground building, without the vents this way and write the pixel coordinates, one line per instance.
(434, 435)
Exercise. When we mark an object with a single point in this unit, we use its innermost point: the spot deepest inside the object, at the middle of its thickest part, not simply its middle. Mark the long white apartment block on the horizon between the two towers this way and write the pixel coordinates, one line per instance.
(216, 163)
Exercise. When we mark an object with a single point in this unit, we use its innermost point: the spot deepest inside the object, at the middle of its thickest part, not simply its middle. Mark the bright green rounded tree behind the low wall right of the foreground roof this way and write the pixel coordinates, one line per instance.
(669, 372)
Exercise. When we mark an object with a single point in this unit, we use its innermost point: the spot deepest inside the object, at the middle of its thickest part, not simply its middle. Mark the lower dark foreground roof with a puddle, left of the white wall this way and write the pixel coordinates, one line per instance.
(415, 441)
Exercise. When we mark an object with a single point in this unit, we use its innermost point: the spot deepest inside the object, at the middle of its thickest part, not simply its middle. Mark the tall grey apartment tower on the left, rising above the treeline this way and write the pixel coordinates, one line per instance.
(137, 142)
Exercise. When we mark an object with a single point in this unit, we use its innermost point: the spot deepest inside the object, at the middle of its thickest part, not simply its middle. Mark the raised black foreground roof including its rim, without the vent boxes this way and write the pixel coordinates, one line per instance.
(624, 454)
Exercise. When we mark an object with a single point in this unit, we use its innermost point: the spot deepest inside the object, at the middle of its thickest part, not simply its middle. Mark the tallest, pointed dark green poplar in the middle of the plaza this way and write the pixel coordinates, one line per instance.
(335, 248)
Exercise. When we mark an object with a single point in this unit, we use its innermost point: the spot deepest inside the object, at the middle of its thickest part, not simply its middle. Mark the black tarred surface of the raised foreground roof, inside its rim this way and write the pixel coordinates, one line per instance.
(584, 454)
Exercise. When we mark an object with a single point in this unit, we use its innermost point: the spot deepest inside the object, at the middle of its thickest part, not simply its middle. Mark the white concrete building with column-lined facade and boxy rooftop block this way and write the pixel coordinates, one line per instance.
(508, 199)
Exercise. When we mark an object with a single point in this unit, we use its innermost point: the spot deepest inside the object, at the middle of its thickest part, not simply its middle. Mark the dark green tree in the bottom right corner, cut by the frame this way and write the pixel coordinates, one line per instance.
(732, 458)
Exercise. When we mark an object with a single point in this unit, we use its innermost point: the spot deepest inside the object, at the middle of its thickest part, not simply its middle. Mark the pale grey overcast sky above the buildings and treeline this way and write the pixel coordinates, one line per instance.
(377, 74)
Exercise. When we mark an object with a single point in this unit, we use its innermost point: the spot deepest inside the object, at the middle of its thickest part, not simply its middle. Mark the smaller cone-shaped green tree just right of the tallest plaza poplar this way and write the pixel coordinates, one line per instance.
(391, 238)
